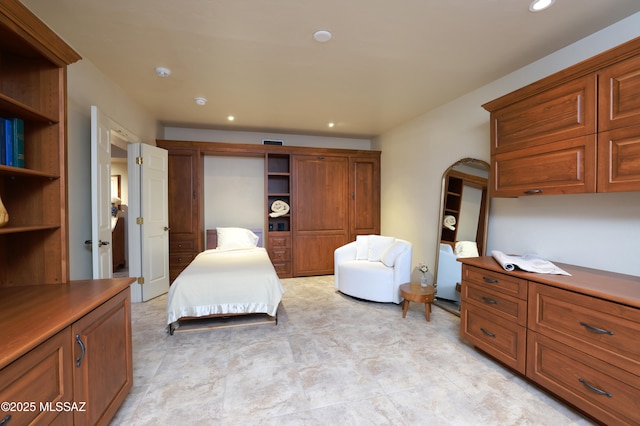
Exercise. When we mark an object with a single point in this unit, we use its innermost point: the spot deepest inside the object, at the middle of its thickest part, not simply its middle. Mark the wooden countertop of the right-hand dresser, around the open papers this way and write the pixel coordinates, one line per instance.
(605, 285)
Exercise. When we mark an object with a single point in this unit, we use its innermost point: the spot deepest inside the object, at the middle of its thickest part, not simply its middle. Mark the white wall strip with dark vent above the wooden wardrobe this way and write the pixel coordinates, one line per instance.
(206, 135)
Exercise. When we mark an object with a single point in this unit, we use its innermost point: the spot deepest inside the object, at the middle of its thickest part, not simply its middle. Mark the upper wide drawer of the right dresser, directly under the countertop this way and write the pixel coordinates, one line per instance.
(601, 328)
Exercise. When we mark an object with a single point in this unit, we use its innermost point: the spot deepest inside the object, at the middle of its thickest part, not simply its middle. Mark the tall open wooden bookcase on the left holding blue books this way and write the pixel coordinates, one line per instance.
(33, 78)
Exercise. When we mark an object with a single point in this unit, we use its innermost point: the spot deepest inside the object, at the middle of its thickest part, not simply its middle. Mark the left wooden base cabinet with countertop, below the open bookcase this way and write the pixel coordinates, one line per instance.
(66, 353)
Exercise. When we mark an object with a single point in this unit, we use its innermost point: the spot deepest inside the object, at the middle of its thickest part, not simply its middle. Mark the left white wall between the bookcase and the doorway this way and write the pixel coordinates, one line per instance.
(89, 86)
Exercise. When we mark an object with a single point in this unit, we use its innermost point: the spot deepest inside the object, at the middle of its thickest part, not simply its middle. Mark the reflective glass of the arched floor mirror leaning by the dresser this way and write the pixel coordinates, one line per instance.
(462, 226)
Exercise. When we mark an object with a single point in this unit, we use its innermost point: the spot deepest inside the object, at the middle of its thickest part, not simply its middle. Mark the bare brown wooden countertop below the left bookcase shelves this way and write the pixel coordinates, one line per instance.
(29, 315)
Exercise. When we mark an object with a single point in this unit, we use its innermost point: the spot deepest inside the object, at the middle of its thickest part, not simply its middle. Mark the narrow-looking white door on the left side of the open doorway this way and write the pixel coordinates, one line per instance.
(101, 195)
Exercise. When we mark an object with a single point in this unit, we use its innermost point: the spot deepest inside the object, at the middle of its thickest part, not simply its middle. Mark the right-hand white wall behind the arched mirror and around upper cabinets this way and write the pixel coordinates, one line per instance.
(594, 230)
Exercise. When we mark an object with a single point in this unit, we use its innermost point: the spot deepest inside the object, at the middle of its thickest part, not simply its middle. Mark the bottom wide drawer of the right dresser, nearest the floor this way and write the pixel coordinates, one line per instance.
(608, 393)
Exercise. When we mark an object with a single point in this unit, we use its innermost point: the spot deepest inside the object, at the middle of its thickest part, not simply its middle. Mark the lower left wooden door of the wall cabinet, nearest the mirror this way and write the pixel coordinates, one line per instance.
(567, 167)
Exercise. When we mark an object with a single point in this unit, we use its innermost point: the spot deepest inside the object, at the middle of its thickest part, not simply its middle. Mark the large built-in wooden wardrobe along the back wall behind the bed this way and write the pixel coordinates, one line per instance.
(333, 194)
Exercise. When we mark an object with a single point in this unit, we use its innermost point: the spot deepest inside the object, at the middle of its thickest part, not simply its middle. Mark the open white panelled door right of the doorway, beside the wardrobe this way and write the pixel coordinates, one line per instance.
(148, 182)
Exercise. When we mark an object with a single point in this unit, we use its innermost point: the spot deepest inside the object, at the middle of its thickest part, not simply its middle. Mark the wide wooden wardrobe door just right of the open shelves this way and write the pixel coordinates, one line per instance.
(320, 225)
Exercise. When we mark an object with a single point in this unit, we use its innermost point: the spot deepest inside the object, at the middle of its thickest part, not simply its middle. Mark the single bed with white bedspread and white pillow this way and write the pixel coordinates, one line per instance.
(233, 277)
